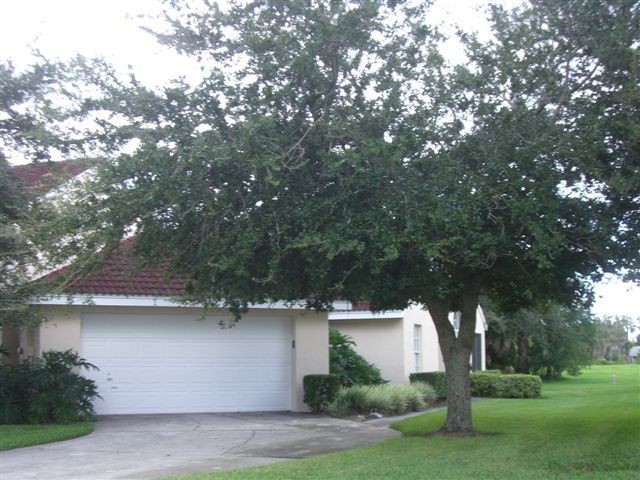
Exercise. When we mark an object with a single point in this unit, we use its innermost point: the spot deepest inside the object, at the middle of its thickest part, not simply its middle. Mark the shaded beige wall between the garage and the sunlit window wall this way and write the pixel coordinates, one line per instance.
(379, 341)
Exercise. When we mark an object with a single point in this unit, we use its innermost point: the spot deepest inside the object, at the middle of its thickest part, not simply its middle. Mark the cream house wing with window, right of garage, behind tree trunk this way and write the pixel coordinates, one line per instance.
(401, 342)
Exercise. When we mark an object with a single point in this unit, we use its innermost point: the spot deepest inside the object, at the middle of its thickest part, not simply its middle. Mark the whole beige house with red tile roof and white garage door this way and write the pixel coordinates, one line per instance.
(157, 355)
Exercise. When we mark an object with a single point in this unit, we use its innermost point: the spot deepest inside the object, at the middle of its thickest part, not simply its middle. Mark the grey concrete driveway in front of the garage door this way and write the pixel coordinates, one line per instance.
(152, 446)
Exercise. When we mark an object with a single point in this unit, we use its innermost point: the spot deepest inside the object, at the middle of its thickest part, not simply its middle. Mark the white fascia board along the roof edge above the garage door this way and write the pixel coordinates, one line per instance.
(148, 301)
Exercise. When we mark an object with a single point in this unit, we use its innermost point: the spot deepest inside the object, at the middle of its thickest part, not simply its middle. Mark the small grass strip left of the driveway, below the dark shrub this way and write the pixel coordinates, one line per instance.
(15, 436)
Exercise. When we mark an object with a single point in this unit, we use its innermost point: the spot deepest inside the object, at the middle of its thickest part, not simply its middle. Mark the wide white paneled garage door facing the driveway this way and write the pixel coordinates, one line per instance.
(176, 363)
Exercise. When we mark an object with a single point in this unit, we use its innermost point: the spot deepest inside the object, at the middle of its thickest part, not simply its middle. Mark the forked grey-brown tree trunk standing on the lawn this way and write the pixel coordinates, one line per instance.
(456, 353)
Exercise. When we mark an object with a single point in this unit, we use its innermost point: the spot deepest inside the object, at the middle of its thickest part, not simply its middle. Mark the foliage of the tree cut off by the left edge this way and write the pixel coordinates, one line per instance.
(25, 121)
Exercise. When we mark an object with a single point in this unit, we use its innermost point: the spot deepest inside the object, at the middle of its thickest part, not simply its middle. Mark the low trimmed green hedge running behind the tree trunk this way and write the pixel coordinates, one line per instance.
(486, 384)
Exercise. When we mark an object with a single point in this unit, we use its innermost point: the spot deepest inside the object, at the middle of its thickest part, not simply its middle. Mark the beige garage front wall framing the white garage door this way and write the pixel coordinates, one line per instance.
(63, 328)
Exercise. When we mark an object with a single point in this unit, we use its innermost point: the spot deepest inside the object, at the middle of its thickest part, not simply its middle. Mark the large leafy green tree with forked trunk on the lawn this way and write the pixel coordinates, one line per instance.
(332, 152)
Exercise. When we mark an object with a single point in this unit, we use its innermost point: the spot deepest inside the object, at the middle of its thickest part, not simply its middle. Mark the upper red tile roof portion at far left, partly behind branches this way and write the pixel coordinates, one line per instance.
(45, 176)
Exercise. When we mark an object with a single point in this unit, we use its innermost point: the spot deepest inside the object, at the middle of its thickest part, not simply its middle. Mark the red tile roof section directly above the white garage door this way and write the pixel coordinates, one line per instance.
(119, 275)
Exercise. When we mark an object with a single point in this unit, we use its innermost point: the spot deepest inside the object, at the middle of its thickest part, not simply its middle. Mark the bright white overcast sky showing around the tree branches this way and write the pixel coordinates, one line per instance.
(109, 28)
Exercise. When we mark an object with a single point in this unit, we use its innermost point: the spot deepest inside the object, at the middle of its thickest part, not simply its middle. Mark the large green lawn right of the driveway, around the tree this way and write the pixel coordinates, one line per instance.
(583, 427)
